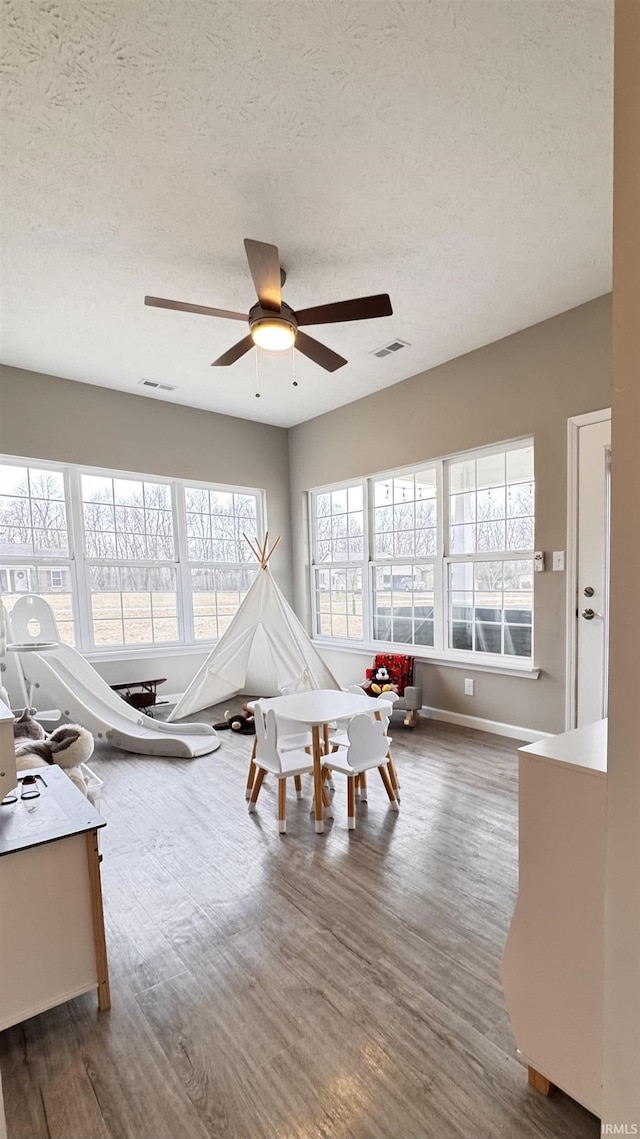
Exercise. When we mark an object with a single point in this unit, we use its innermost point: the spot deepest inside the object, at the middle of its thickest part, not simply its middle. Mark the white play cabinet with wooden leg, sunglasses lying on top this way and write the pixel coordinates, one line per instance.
(52, 923)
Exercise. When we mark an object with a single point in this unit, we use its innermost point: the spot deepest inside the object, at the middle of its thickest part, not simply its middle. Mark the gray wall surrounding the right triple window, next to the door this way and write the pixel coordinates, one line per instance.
(528, 384)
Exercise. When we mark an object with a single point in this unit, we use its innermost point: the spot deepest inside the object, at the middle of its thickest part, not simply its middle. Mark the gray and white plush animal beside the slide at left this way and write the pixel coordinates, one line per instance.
(69, 747)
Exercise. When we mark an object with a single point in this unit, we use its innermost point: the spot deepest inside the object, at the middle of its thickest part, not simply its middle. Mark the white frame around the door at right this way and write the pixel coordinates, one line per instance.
(575, 425)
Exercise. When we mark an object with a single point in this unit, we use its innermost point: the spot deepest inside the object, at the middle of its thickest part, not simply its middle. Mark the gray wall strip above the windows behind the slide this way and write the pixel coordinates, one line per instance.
(45, 417)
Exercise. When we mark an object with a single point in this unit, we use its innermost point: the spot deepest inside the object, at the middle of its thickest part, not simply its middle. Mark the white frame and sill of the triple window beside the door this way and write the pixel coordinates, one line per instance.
(441, 562)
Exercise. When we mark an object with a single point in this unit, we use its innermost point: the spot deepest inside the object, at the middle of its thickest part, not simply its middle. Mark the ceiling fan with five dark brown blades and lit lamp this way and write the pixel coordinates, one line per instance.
(273, 323)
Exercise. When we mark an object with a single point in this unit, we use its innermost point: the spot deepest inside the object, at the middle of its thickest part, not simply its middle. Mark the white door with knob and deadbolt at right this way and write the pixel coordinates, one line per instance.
(593, 580)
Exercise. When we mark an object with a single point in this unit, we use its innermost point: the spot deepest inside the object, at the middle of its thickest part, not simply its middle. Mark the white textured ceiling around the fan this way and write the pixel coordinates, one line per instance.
(456, 155)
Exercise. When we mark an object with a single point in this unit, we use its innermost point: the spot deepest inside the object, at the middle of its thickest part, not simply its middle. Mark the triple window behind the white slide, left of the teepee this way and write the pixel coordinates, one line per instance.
(140, 561)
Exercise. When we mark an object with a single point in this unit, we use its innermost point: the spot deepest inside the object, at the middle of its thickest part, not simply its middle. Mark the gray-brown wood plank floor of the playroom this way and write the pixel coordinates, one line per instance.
(300, 987)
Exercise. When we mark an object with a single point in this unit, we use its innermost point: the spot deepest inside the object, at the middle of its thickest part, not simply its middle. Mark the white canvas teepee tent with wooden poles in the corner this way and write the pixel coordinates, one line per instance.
(265, 649)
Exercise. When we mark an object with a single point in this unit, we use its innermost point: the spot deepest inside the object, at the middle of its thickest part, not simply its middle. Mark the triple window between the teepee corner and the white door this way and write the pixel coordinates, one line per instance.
(439, 558)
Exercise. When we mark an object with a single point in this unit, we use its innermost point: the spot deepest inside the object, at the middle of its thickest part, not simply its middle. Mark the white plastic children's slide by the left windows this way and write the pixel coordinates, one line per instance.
(62, 675)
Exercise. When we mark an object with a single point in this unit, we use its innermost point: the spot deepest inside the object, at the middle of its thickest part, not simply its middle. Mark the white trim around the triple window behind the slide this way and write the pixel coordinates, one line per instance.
(79, 564)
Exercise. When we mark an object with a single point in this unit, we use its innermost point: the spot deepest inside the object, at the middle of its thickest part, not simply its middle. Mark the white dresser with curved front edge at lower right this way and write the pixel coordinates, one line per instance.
(553, 966)
